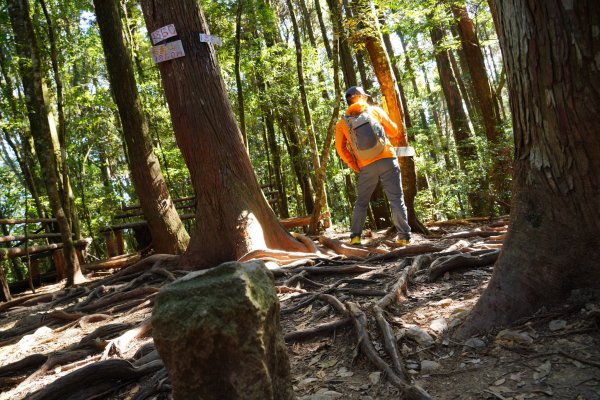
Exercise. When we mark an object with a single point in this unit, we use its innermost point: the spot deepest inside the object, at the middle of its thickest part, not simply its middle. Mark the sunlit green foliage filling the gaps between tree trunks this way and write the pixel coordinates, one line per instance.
(98, 164)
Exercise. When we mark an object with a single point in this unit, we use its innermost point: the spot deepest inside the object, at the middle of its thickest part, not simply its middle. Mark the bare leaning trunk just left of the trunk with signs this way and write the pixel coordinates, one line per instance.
(168, 232)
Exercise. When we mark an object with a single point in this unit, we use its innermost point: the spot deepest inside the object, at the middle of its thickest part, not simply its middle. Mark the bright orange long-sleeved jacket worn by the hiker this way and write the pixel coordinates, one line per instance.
(342, 136)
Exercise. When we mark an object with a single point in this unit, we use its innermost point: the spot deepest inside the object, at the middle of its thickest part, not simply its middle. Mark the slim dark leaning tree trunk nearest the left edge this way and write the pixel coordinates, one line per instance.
(32, 75)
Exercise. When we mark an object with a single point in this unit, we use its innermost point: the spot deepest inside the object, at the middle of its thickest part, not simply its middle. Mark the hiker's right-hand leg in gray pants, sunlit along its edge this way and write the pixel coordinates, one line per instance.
(391, 181)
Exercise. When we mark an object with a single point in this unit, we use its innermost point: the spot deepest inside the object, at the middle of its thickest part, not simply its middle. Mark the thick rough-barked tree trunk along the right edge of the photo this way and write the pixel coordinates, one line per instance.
(550, 50)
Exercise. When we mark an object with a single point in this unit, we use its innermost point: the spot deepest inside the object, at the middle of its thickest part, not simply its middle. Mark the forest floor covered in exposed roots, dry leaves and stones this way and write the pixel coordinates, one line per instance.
(52, 345)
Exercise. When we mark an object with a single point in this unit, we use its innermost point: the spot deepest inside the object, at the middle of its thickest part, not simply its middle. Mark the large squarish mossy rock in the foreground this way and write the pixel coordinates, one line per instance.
(218, 334)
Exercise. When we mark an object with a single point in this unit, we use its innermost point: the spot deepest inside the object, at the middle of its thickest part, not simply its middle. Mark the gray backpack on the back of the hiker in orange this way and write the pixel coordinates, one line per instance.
(367, 136)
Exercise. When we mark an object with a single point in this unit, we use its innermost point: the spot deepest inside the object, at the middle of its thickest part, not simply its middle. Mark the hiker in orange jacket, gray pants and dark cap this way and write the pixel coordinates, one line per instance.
(361, 140)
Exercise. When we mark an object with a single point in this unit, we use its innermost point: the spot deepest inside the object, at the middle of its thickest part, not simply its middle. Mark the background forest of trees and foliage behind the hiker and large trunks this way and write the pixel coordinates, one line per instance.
(462, 136)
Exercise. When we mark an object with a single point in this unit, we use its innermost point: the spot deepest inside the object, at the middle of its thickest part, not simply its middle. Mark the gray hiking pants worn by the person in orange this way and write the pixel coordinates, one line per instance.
(388, 170)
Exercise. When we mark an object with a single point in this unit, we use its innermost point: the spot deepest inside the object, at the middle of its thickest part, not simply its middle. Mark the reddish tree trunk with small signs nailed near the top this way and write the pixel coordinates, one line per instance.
(232, 215)
